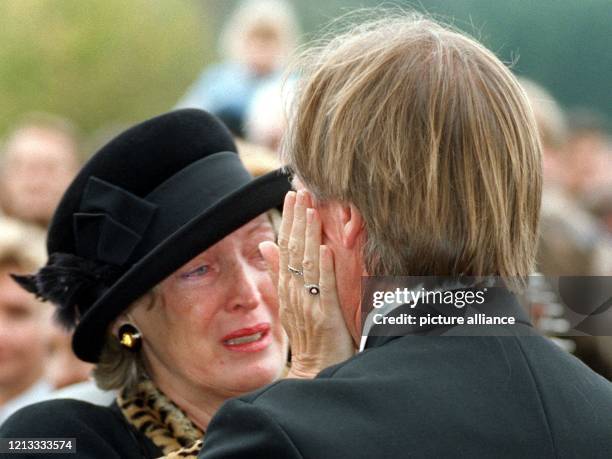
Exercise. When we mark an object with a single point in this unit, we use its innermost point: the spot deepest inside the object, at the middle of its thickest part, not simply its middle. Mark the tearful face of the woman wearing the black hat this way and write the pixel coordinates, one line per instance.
(216, 327)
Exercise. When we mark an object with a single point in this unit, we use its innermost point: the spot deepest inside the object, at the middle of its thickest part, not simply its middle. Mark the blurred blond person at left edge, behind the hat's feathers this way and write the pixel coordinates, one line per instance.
(24, 322)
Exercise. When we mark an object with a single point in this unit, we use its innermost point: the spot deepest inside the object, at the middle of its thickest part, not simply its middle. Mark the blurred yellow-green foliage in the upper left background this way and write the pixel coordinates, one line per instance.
(98, 61)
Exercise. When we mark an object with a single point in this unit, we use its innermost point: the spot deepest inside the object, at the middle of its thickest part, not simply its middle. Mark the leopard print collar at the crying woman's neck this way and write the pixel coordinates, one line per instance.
(153, 414)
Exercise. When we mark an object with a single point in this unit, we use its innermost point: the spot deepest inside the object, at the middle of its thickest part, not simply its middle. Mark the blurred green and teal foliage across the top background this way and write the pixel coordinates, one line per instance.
(109, 62)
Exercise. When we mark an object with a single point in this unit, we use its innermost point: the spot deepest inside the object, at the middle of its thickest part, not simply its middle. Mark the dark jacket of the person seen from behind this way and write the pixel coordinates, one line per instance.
(430, 397)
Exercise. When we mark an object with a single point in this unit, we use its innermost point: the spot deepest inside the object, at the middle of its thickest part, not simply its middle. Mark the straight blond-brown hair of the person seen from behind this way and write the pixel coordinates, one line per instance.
(431, 137)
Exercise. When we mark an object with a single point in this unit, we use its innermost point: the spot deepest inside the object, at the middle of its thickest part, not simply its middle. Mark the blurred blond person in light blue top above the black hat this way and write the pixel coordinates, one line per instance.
(255, 44)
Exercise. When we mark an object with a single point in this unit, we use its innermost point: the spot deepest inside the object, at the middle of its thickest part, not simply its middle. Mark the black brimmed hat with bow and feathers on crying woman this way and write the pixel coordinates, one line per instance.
(144, 205)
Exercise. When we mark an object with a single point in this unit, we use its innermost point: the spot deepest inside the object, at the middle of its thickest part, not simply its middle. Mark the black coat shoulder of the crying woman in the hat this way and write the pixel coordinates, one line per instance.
(100, 432)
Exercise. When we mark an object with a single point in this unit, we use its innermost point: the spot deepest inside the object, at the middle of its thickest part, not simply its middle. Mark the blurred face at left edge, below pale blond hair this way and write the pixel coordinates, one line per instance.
(23, 337)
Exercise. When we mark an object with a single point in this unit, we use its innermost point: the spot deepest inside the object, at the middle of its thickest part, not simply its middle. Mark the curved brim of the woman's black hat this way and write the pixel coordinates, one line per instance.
(226, 216)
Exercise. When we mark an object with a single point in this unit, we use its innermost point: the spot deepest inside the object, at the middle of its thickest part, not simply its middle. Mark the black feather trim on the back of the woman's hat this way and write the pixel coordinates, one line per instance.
(71, 283)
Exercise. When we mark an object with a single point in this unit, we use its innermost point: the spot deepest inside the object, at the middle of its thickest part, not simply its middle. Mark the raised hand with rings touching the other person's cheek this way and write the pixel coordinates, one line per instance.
(309, 306)
